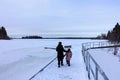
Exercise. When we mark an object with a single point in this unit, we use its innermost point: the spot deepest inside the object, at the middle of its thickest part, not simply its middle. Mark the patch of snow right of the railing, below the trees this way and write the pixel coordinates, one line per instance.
(108, 62)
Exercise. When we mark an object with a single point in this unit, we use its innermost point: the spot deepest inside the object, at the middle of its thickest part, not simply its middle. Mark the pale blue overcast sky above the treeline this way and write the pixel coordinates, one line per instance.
(72, 17)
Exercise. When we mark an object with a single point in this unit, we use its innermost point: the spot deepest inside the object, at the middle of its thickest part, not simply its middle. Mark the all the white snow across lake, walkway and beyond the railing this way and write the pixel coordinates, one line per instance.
(21, 59)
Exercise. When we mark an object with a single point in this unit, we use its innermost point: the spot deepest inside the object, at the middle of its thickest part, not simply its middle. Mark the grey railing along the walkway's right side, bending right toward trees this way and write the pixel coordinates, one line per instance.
(95, 71)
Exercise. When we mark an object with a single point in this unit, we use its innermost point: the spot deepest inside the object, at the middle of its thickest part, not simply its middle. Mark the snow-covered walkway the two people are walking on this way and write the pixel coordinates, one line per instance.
(76, 71)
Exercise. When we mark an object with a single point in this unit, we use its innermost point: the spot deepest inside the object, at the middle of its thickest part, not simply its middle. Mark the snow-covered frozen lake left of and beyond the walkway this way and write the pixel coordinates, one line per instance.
(21, 59)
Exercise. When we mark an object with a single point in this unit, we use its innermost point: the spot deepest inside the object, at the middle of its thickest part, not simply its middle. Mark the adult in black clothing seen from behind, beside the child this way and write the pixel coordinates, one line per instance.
(60, 53)
